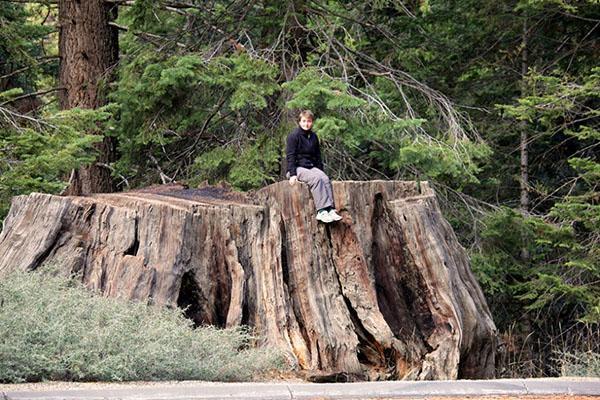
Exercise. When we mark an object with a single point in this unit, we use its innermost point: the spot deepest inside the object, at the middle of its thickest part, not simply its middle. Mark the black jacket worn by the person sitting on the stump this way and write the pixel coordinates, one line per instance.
(302, 150)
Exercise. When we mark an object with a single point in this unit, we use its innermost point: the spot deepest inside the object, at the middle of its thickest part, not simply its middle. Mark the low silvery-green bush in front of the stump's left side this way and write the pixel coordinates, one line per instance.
(52, 328)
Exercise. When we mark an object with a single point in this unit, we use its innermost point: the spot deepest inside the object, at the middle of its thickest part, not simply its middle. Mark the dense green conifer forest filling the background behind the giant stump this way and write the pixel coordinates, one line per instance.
(496, 103)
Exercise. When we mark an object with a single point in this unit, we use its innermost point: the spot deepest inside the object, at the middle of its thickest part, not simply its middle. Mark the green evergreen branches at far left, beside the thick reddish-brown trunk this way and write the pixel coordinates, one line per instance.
(38, 146)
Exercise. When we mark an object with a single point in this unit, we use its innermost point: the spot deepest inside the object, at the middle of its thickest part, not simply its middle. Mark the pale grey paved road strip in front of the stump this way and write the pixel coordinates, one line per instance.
(292, 391)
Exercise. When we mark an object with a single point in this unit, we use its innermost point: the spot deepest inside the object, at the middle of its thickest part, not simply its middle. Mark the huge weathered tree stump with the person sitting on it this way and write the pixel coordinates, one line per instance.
(385, 293)
